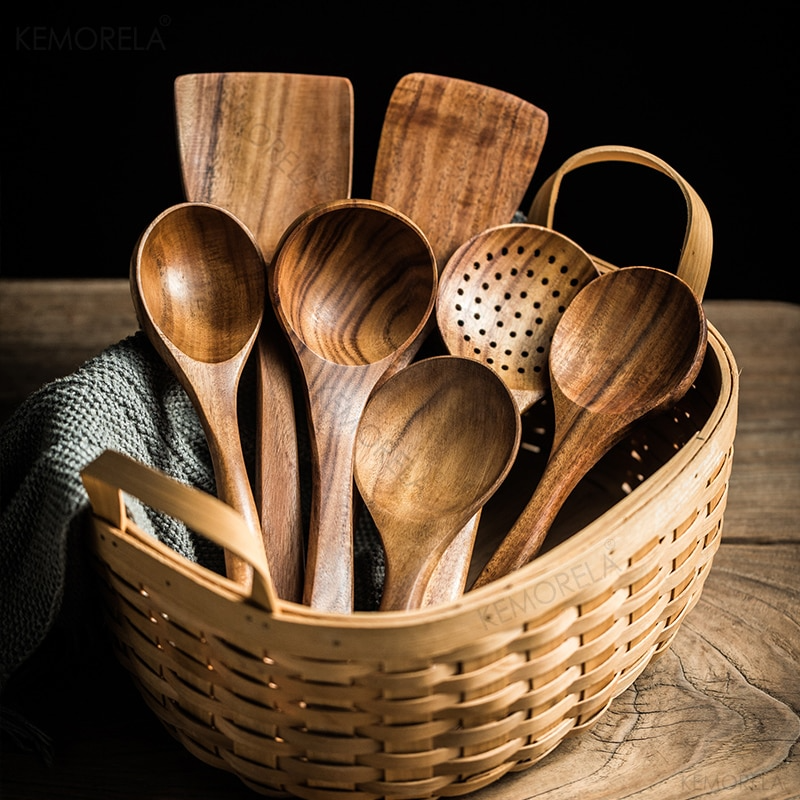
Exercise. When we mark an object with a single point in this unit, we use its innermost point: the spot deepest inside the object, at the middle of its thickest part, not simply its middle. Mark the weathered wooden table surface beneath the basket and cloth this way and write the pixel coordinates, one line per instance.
(718, 716)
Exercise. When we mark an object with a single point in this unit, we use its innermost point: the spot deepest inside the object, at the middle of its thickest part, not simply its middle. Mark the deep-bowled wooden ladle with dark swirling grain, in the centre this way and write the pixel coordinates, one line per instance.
(353, 284)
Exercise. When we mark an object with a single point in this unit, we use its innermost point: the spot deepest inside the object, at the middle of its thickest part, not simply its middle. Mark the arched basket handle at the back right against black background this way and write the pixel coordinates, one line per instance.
(695, 259)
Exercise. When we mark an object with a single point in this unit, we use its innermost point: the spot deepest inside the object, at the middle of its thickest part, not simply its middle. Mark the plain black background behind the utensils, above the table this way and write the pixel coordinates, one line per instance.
(89, 154)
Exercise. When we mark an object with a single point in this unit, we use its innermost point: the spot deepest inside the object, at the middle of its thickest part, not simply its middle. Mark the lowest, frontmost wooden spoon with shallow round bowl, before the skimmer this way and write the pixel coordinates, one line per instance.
(434, 443)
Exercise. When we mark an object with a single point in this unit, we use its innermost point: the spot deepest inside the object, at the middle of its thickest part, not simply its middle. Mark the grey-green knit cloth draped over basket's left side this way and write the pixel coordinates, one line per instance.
(124, 399)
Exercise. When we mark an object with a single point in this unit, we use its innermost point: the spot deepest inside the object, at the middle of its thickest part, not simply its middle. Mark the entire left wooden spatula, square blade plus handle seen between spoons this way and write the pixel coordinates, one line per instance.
(268, 146)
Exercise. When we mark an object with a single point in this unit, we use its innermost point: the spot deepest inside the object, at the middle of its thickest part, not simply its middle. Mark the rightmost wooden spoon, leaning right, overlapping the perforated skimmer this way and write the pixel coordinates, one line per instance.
(631, 343)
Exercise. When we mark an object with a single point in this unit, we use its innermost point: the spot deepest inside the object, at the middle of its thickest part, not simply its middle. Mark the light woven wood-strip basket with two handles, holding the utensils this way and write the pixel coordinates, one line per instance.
(445, 700)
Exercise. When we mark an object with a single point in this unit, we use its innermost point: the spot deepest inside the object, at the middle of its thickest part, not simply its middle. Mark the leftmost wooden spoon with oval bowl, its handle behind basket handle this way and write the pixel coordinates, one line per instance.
(197, 283)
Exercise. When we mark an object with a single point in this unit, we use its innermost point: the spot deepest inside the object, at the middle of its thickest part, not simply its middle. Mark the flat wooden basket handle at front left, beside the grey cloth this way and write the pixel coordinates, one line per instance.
(112, 473)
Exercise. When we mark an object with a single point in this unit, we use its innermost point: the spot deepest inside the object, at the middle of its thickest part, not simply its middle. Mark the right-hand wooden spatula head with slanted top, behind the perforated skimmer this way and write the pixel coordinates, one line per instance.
(456, 157)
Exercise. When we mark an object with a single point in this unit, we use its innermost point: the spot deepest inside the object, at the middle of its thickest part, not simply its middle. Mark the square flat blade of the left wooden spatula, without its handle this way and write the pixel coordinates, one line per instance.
(266, 146)
